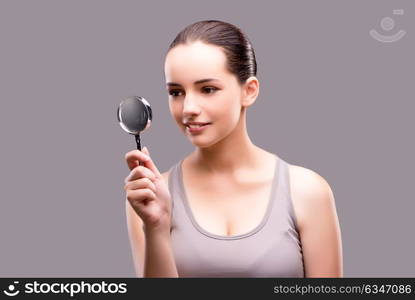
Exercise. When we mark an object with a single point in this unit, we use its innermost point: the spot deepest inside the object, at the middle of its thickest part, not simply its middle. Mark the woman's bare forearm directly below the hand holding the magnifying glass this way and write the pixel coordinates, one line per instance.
(159, 259)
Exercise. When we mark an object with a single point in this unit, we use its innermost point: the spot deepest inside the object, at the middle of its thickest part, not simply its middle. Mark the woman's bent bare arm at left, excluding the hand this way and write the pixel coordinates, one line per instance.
(151, 250)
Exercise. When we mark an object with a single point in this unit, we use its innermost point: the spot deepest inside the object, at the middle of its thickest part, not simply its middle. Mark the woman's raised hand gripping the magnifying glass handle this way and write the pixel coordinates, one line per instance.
(147, 191)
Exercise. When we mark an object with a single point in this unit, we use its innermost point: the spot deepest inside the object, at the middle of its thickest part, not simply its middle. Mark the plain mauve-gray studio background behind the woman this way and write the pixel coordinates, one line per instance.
(332, 99)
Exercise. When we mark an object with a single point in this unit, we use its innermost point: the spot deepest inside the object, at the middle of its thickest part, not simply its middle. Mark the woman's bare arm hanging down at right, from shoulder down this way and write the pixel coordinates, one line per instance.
(318, 224)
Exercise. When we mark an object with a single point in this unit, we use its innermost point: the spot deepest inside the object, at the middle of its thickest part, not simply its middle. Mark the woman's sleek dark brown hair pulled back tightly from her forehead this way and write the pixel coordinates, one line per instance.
(236, 45)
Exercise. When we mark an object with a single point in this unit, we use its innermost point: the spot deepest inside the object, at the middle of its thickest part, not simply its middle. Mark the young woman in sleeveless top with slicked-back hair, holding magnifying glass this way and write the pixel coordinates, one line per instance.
(230, 208)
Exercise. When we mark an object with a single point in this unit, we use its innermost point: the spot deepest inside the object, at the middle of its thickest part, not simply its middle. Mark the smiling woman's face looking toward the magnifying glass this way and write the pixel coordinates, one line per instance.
(201, 89)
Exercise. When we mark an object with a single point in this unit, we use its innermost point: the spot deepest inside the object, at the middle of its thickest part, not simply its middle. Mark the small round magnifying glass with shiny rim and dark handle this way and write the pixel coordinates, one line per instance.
(134, 115)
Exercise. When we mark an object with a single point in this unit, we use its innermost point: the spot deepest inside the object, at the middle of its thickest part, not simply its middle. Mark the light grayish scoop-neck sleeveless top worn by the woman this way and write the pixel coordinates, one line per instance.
(271, 249)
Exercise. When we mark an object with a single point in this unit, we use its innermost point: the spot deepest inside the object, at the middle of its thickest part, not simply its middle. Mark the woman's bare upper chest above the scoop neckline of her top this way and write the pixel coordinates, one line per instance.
(227, 207)
